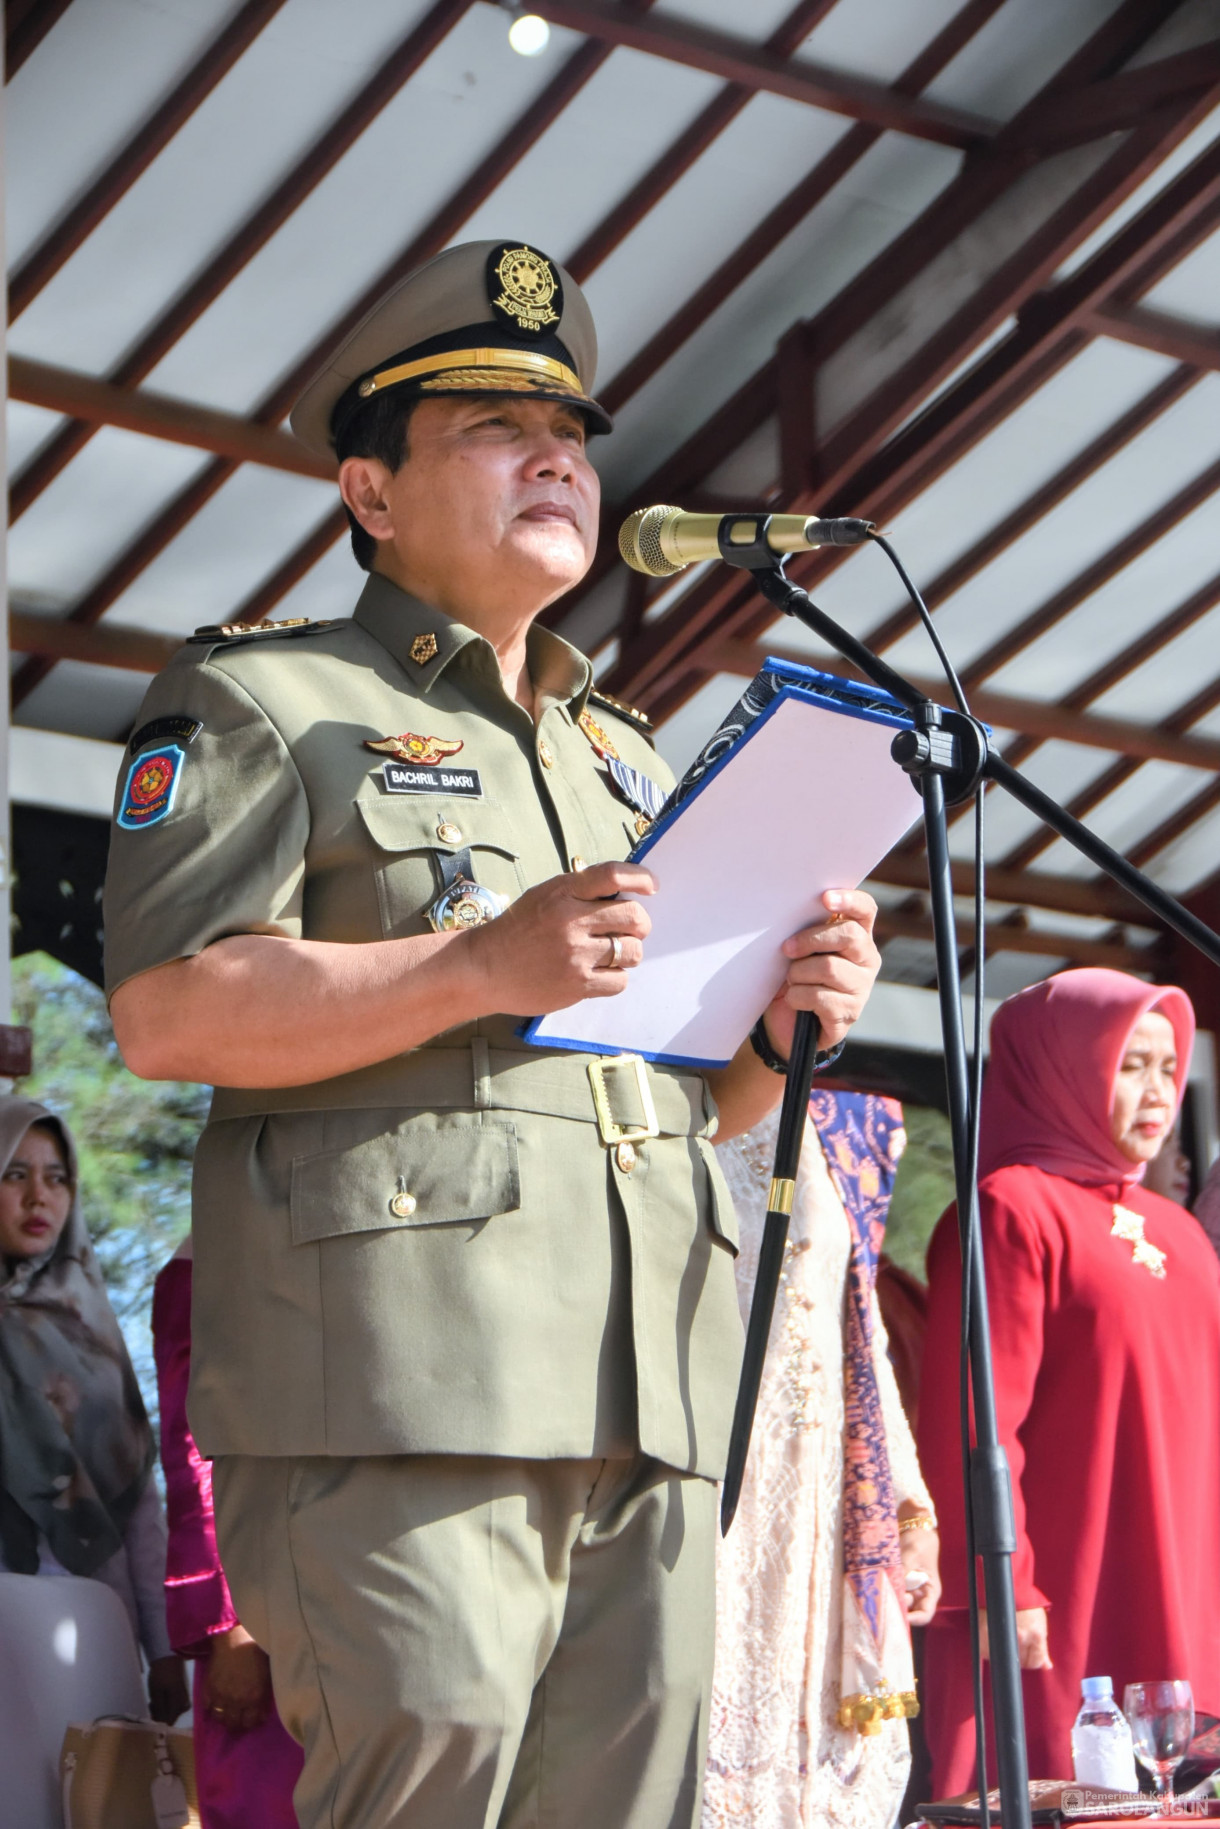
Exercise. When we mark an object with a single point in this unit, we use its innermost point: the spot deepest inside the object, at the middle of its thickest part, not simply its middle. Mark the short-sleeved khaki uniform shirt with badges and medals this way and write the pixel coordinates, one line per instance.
(542, 1296)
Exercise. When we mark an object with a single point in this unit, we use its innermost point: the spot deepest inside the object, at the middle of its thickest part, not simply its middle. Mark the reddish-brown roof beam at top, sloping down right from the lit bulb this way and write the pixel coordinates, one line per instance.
(758, 69)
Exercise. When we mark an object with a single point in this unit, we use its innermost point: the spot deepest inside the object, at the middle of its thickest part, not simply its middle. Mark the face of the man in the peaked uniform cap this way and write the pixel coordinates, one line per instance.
(497, 504)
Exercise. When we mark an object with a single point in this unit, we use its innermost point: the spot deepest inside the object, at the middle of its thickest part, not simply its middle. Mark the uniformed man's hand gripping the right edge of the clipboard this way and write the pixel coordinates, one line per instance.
(831, 970)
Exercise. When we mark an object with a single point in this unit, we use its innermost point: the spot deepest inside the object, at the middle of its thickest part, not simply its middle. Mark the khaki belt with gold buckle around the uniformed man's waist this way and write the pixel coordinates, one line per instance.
(625, 1096)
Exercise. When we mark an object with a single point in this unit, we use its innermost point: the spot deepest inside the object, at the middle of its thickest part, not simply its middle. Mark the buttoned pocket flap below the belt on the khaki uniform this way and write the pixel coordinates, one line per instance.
(429, 1171)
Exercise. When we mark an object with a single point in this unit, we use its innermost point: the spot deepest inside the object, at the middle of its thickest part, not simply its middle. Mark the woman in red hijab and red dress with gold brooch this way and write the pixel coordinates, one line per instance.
(1106, 1334)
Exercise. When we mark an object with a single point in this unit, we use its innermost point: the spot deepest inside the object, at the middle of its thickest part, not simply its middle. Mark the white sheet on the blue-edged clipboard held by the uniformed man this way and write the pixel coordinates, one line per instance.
(809, 800)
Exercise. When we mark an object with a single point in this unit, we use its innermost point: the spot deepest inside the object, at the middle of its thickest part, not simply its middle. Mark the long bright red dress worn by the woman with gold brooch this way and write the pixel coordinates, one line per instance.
(1108, 1389)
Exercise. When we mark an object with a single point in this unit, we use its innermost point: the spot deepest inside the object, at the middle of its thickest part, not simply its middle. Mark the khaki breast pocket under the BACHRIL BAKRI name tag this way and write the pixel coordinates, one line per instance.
(412, 833)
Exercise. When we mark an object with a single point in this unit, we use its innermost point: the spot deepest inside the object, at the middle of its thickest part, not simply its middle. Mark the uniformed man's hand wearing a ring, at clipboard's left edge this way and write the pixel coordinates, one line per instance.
(553, 945)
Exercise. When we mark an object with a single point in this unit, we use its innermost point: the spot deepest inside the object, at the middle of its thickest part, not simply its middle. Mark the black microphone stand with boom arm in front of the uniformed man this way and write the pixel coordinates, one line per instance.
(948, 756)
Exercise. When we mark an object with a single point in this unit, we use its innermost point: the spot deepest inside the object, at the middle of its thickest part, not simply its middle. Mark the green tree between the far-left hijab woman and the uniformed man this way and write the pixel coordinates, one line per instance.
(134, 1139)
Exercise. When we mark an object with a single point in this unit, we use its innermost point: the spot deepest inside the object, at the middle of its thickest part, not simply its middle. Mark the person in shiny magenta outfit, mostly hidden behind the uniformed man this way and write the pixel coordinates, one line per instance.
(246, 1760)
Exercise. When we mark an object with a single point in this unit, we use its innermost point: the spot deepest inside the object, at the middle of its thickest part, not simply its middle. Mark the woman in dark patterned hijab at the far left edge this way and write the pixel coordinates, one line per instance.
(76, 1446)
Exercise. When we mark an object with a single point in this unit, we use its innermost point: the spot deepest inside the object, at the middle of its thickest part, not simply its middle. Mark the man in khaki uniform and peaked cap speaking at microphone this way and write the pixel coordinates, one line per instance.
(466, 1331)
